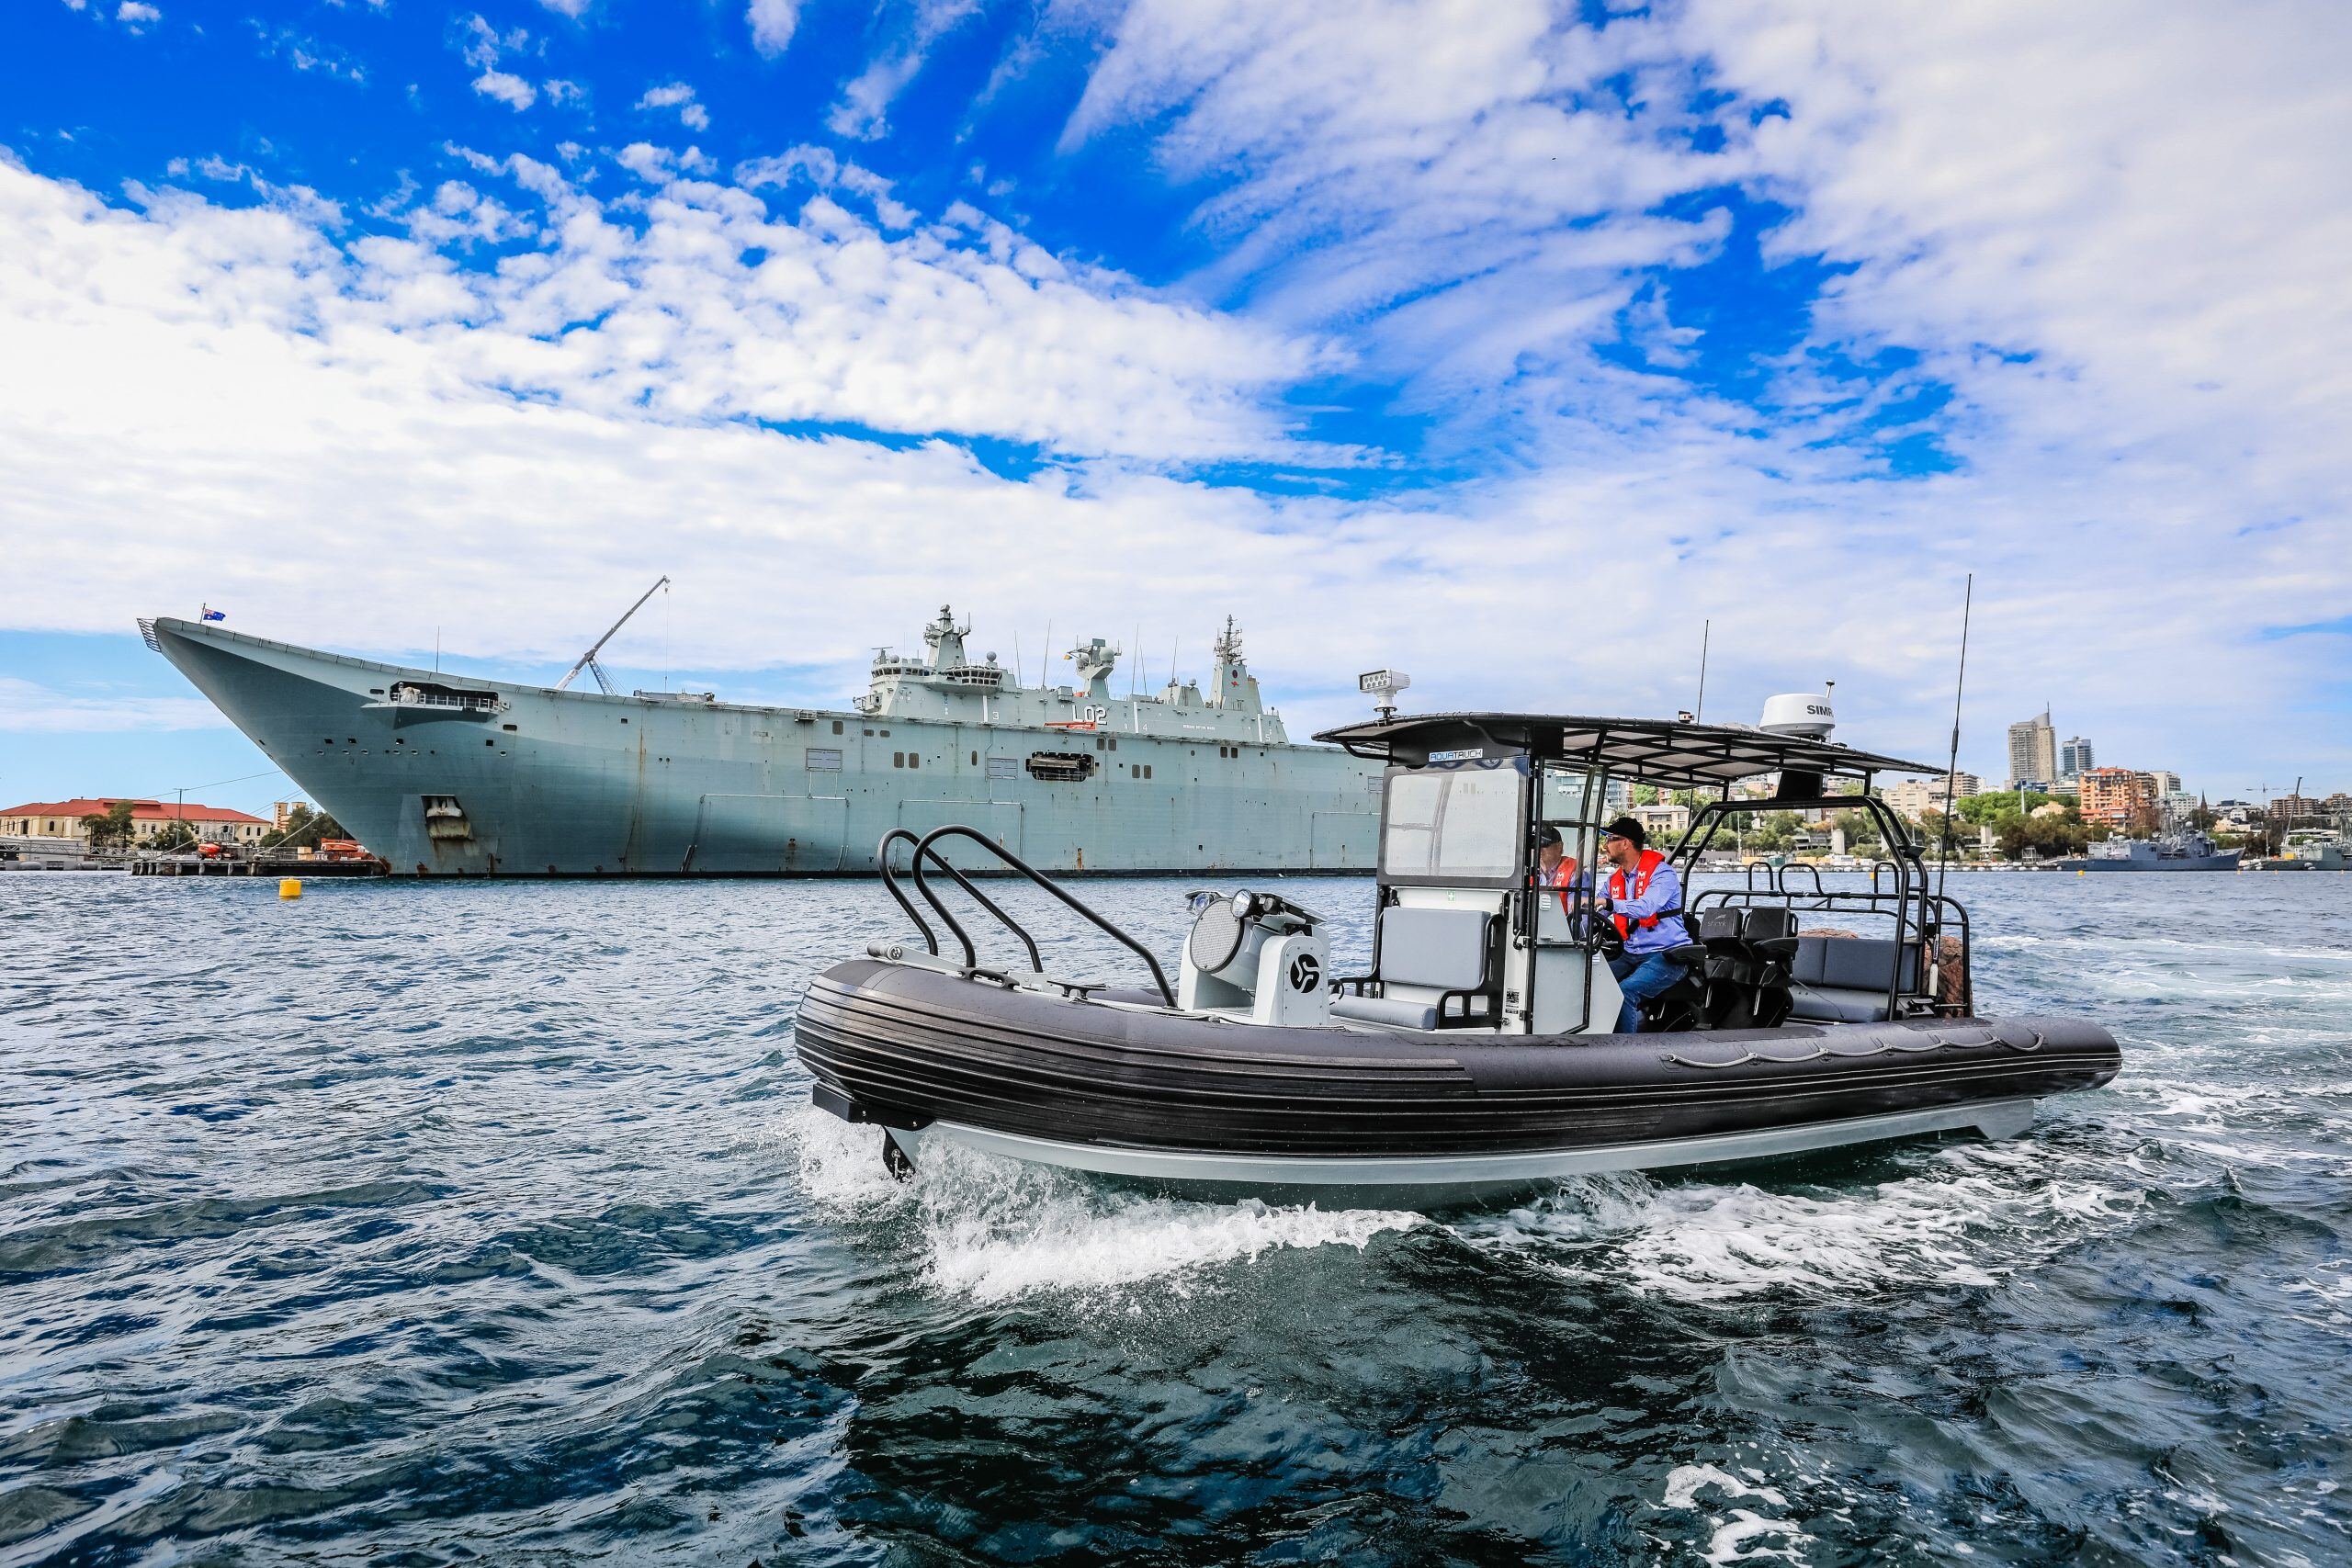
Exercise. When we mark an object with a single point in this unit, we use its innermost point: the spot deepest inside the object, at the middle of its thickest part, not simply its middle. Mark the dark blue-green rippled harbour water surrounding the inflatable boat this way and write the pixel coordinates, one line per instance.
(490, 1224)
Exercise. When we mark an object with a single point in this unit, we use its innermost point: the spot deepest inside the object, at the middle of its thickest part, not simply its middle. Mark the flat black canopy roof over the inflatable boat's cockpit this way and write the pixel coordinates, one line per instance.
(1655, 751)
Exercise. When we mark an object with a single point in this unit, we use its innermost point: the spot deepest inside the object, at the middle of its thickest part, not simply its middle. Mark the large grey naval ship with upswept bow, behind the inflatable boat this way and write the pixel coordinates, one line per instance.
(455, 777)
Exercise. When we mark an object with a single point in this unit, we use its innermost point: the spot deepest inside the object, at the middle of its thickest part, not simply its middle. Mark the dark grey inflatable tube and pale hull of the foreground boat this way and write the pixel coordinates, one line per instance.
(1215, 1106)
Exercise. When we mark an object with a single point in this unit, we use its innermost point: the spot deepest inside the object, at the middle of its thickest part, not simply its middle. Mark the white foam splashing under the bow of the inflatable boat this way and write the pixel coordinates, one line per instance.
(996, 1231)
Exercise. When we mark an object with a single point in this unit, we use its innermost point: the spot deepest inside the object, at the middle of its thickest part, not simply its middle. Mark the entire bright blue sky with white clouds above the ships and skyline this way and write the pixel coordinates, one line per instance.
(1504, 342)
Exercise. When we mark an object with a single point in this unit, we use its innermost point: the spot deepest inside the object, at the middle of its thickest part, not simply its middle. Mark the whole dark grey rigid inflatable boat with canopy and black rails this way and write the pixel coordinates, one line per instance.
(1478, 1052)
